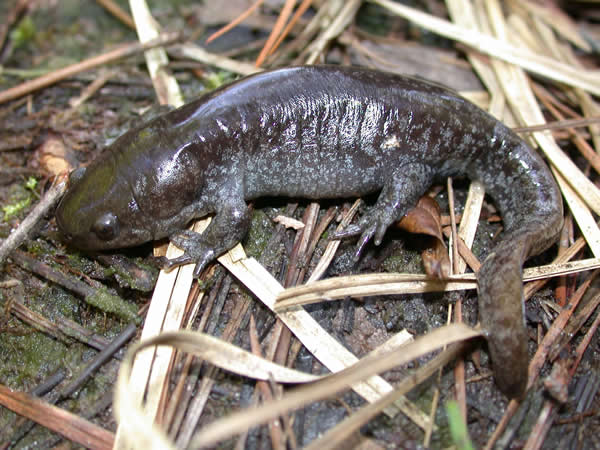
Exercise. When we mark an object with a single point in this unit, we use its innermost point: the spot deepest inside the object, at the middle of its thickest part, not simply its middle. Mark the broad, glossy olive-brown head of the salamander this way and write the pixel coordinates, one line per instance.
(146, 186)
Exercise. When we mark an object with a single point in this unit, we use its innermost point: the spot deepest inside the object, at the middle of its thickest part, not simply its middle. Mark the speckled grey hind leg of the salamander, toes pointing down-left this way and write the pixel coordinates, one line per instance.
(399, 194)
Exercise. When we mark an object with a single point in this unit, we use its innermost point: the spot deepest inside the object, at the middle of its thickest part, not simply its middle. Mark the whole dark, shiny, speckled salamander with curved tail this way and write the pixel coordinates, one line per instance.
(321, 132)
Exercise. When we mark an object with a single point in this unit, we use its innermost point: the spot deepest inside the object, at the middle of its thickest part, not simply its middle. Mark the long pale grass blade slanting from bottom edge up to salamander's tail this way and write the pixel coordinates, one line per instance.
(329, 386)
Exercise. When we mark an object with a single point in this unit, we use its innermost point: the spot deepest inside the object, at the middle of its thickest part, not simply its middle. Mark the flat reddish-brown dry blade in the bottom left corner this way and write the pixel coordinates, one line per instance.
(56, 419)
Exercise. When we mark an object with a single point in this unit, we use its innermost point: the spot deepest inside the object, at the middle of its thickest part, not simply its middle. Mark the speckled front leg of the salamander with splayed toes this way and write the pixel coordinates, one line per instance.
(226, 229)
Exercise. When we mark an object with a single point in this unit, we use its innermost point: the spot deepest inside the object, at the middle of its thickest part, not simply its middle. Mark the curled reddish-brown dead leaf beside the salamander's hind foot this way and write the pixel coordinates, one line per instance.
(425, 218)
